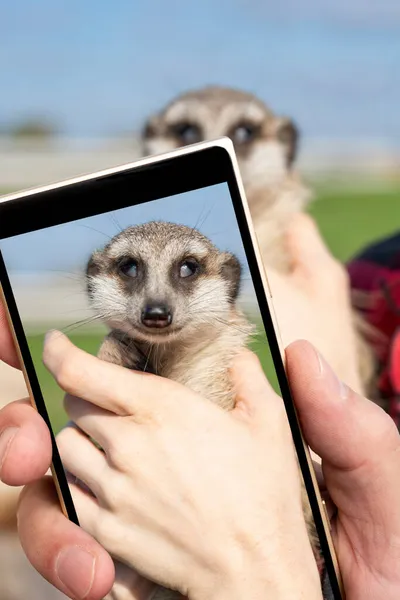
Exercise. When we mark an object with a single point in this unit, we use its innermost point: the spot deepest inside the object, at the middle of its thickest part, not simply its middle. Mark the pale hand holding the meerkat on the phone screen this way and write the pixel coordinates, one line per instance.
(168, 494)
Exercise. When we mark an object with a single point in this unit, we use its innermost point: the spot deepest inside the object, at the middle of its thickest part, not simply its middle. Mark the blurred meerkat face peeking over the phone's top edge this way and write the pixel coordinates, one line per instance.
(265, 144)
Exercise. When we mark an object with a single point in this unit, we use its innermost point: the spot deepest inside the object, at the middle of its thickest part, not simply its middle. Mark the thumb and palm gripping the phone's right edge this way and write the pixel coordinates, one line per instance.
(360, 449)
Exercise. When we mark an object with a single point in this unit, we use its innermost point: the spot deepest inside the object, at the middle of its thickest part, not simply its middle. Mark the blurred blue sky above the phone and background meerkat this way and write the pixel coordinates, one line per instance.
(98, 68)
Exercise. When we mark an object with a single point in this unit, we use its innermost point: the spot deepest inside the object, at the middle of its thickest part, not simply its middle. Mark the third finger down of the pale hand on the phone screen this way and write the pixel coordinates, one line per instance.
(93, 470)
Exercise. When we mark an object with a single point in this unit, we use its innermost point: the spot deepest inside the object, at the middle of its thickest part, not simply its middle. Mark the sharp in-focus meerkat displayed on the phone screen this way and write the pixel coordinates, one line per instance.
(170, 300)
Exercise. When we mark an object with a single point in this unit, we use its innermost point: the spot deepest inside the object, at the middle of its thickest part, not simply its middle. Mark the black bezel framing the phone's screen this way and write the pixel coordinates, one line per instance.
(108, 192)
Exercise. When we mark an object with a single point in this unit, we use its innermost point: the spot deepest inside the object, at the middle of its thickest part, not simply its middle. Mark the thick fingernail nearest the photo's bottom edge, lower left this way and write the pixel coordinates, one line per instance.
(75, 568)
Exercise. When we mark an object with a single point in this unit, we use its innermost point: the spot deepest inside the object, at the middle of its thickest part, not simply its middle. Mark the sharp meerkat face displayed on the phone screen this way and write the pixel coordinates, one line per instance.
(160, 280)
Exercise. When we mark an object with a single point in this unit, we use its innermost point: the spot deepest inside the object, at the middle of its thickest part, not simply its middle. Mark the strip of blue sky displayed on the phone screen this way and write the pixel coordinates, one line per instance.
(66, 248)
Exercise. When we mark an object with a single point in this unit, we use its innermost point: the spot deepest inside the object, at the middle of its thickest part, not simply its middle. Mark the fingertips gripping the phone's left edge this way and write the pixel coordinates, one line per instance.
(25, 456)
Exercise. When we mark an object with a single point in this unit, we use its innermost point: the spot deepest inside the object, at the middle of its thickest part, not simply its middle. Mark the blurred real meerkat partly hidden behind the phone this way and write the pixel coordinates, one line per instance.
(266, 146)
